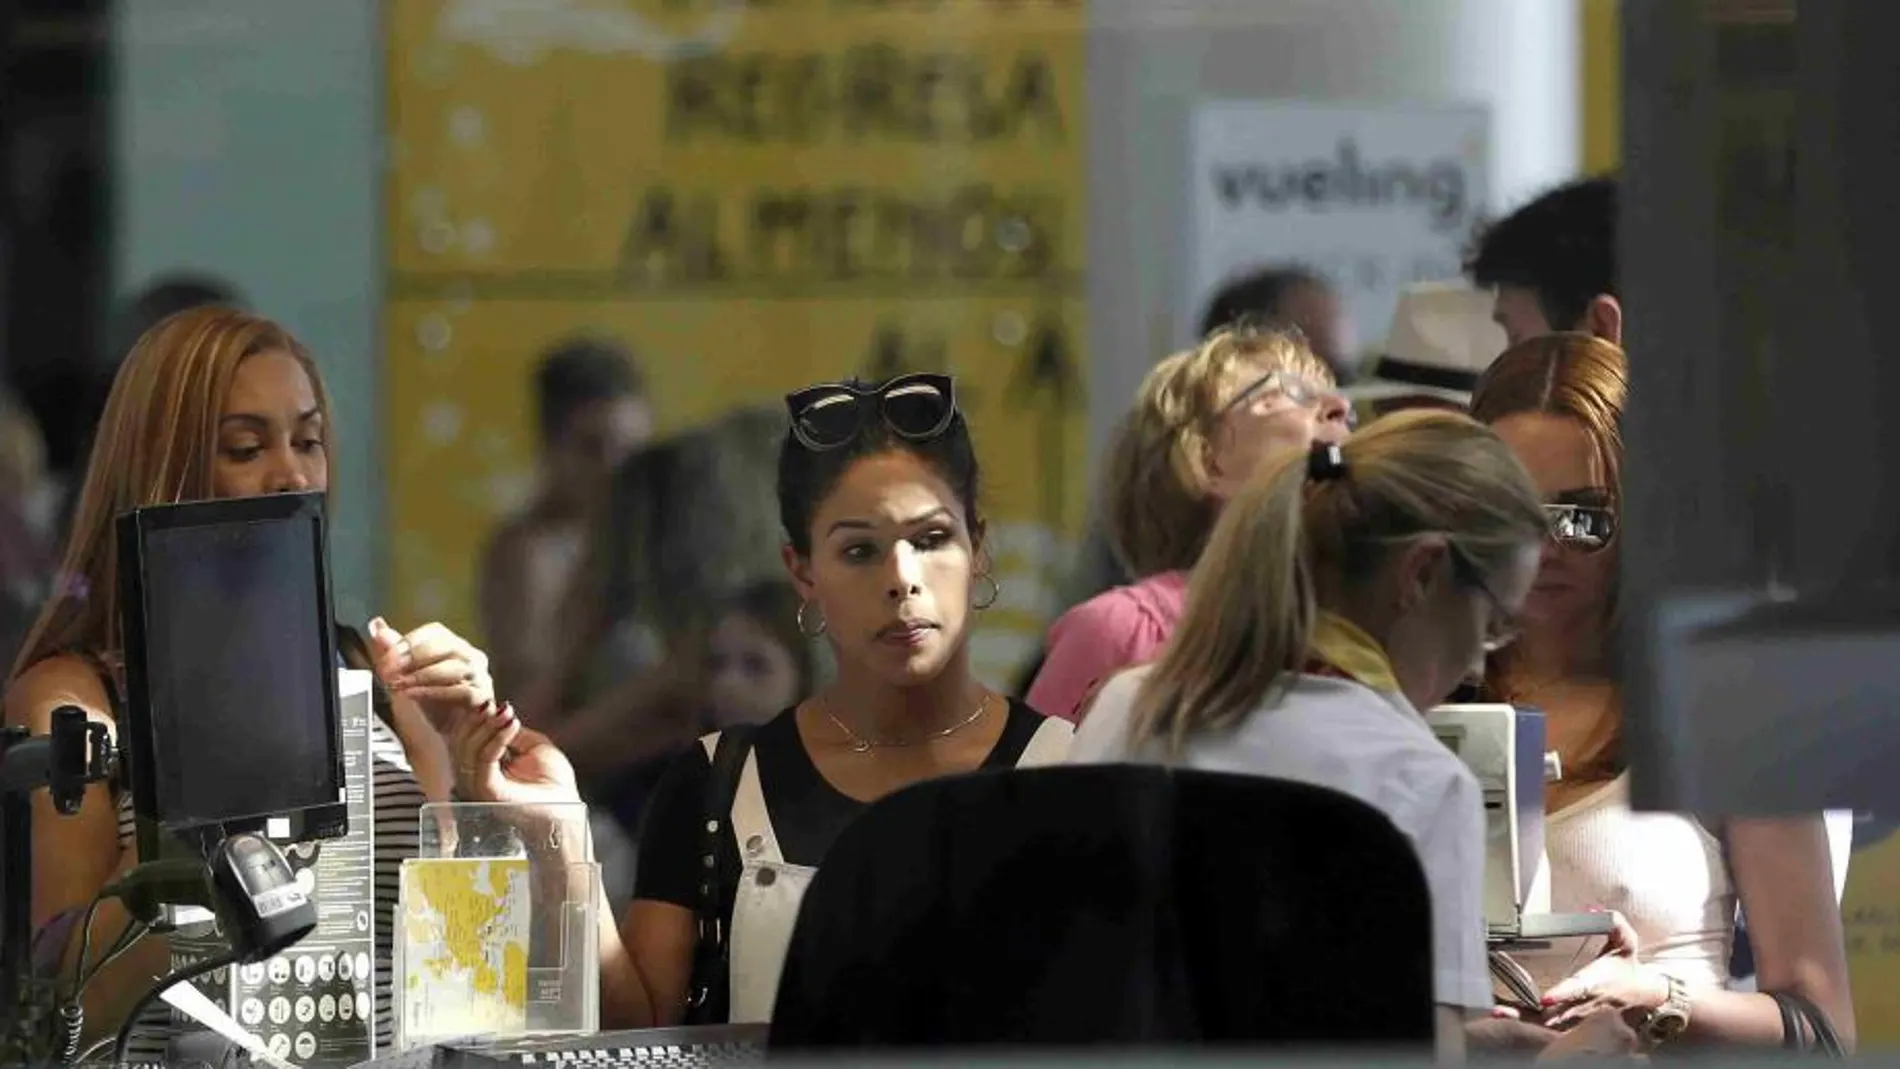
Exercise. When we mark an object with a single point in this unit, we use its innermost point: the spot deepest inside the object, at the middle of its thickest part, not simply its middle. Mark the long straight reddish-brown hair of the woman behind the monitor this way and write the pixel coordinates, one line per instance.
(155, 447)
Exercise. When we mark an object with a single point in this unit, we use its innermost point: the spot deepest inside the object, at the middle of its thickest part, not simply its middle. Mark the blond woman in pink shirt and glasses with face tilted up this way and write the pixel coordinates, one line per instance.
(1202, 424)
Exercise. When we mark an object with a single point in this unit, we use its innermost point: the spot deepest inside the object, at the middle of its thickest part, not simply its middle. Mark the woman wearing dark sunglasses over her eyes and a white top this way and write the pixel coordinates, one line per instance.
(1673, 880)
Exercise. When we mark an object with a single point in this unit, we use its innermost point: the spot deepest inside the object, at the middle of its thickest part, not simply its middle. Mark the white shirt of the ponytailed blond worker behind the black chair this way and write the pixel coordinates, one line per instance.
(1363, 743)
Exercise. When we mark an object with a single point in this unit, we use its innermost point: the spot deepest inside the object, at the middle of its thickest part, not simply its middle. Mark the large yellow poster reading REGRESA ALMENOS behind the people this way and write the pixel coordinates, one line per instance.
(755, 195)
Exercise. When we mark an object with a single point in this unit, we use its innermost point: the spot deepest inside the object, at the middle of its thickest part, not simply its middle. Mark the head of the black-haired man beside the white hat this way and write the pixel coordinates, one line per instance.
(1553, 265)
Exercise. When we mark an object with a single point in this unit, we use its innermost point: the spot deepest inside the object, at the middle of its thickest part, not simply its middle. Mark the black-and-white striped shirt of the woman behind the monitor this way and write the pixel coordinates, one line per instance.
(398, 804)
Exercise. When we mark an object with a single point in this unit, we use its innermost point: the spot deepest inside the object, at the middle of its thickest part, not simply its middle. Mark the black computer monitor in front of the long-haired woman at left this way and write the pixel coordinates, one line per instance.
(231, 673)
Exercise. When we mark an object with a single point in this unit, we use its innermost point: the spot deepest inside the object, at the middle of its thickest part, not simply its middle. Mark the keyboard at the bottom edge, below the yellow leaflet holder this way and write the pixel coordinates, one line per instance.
(645, 1049)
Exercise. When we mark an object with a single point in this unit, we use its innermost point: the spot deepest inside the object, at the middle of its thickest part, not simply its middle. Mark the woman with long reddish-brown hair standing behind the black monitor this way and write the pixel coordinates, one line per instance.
(212, 403)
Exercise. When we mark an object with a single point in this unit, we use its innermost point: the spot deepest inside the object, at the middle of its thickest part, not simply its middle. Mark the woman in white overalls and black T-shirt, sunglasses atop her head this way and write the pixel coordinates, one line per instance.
(886, 548)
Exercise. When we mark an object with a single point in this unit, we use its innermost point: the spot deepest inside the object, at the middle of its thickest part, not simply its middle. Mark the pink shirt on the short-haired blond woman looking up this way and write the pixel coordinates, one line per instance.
(1128, 626)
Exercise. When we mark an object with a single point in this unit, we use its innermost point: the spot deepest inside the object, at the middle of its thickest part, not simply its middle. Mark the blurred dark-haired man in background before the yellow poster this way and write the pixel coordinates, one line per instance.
(594, 413)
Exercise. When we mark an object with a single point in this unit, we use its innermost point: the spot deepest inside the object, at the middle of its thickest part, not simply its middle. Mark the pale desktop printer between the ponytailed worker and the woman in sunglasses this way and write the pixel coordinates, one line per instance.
(1506, 749)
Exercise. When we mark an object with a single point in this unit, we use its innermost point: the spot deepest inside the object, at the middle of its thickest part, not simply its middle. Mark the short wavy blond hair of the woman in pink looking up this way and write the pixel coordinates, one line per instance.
(1160, 502)
